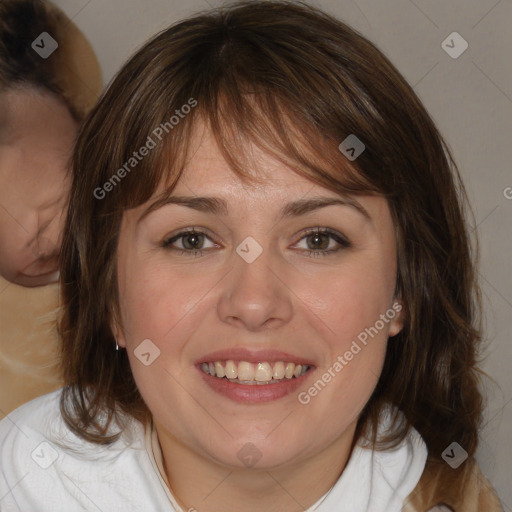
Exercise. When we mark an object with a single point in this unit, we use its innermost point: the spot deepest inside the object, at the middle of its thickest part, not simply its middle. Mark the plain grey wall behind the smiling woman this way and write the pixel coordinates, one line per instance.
(469, 97)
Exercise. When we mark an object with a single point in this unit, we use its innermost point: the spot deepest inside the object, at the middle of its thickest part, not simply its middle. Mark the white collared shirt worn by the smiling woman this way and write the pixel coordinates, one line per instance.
(44, 467)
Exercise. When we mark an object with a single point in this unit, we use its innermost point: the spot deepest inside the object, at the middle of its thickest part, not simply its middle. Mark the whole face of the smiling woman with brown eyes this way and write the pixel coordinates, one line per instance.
(251, 286)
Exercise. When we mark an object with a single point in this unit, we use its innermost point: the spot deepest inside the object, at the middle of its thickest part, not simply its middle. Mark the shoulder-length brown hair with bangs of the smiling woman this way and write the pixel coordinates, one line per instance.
(296, 82)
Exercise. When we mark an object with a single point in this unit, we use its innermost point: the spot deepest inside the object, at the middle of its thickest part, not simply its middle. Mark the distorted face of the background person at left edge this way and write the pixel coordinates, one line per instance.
(37, 133)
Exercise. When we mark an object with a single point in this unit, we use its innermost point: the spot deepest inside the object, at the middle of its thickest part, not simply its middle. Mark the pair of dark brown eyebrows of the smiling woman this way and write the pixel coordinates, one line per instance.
(217, 206)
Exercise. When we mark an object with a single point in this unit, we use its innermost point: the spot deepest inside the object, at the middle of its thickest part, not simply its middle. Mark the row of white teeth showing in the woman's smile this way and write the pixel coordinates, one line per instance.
(262, 373)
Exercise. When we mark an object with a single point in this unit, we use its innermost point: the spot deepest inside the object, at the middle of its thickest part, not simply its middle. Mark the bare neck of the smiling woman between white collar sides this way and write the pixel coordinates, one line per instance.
(199, 483)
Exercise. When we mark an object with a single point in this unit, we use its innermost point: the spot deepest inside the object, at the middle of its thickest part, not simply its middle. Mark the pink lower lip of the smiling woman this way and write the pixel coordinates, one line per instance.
(256, 393)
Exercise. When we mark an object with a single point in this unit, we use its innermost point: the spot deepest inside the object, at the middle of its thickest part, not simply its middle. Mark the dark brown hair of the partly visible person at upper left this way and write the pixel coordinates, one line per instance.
(72, 72)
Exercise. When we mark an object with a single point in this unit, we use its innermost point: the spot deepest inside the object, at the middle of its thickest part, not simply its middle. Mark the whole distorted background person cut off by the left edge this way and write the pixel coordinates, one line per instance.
(49, 80)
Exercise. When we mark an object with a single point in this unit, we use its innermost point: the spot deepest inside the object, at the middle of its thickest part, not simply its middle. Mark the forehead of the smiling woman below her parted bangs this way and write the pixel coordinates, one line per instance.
(208, 184)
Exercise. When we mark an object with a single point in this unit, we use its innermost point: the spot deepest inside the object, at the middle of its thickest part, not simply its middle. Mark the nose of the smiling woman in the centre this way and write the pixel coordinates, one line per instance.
(255, 295)
